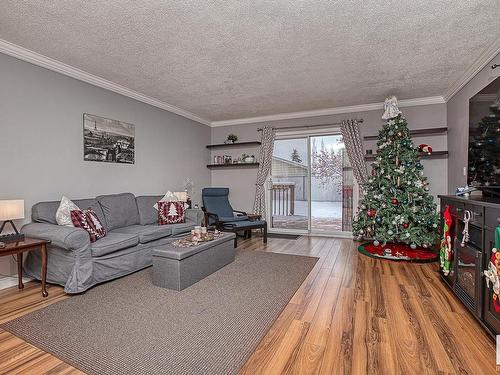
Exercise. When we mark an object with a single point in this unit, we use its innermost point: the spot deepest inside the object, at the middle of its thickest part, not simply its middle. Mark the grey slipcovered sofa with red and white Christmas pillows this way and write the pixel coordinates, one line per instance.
(132, 233)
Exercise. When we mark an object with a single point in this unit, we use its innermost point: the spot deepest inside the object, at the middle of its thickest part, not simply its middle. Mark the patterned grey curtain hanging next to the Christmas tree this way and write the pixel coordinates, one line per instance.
(354, 148)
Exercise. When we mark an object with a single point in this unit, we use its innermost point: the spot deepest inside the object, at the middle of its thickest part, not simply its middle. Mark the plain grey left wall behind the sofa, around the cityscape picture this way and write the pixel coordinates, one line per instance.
(41, 144)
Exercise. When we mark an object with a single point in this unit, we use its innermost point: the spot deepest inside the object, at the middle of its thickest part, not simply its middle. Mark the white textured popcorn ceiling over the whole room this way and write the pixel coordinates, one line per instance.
(233, 59)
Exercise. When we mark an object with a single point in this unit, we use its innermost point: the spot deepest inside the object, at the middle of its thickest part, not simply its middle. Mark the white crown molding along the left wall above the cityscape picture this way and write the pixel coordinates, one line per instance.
(70, 71)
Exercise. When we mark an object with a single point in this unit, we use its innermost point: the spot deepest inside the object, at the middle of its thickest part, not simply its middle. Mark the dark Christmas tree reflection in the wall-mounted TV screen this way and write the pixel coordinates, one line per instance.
(484, 159)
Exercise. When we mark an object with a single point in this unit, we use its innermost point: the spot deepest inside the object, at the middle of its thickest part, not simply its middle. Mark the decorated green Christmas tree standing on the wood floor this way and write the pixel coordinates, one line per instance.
(396, 206)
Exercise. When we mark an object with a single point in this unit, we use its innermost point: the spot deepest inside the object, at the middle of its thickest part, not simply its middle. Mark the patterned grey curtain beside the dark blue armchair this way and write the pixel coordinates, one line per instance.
(265, 160)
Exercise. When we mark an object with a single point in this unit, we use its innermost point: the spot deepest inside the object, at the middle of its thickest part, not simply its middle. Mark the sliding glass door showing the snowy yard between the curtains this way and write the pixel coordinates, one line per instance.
(311, 187)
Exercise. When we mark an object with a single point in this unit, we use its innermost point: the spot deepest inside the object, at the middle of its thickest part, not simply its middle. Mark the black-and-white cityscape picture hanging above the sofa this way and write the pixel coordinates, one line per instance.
(108, 140)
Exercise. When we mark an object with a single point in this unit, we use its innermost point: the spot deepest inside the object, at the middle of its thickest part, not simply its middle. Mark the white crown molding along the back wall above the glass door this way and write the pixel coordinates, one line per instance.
(329, 111)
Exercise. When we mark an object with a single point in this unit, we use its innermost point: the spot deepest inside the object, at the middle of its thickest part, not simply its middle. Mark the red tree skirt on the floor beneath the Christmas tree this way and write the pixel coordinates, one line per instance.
(398, 252)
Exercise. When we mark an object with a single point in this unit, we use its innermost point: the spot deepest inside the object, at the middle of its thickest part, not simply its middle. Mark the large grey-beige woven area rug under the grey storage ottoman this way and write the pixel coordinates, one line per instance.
(129, 326)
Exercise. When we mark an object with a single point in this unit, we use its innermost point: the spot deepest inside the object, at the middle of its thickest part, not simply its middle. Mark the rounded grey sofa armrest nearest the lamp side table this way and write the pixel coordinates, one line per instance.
(68, 238)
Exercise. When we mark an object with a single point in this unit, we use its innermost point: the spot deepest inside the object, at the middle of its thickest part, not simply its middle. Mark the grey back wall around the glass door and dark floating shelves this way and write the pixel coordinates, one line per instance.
(242, 181)
